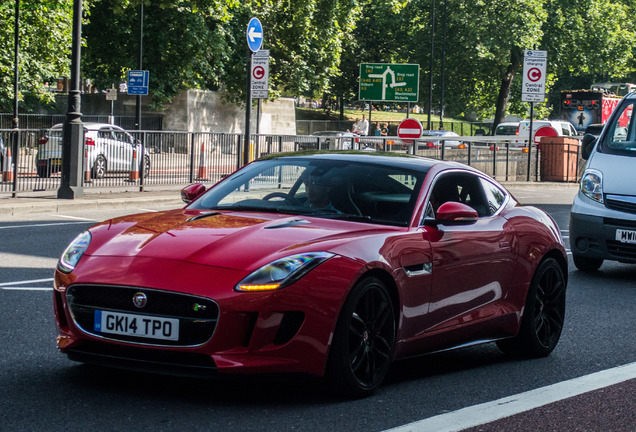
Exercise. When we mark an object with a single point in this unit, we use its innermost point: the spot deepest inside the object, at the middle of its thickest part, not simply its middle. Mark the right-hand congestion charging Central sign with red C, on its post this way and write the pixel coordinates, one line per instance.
(533, 87)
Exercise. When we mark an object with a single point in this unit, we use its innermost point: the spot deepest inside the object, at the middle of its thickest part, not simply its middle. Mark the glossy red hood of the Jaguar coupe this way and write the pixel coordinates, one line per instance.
(231, 240)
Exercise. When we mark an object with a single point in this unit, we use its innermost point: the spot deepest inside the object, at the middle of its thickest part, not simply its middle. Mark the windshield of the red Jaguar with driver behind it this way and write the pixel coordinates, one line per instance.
(322, 188)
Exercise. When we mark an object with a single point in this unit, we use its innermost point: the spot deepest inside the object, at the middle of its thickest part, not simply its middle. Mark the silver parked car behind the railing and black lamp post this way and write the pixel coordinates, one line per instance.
(108, 148)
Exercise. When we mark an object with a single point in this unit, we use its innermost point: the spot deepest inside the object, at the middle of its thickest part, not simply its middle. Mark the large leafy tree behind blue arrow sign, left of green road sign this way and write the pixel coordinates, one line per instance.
(304, 38)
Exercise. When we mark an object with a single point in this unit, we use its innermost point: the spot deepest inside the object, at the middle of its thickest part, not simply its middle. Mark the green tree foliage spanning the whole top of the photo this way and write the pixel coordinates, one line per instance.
(316, 46)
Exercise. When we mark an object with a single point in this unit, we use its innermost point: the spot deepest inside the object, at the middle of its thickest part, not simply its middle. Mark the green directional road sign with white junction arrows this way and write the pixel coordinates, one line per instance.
(389, 82)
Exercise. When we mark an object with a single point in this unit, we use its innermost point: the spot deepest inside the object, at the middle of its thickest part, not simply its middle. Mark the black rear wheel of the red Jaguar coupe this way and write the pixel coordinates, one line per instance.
(543, 314)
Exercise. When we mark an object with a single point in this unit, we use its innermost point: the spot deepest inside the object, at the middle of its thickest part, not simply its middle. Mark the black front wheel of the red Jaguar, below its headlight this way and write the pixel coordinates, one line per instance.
(364, 339)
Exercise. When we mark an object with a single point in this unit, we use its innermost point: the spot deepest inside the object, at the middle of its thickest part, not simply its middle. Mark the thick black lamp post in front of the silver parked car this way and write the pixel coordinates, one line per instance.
(73, 139)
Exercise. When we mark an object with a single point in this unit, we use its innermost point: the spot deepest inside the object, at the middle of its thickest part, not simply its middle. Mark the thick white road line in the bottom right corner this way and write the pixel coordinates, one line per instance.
(490, 411)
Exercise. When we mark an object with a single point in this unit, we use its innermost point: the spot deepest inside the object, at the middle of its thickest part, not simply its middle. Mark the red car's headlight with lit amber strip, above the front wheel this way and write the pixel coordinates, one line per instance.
(282, 272)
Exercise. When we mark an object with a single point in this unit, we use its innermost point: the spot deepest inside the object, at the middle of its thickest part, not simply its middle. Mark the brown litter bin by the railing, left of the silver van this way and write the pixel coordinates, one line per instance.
(559, 158)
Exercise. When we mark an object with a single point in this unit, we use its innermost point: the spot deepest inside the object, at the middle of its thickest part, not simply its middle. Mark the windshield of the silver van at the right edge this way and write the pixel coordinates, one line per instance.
(620, 138)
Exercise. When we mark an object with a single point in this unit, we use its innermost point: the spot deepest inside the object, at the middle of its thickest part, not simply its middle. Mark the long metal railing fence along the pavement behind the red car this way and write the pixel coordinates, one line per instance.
(30, 163)
